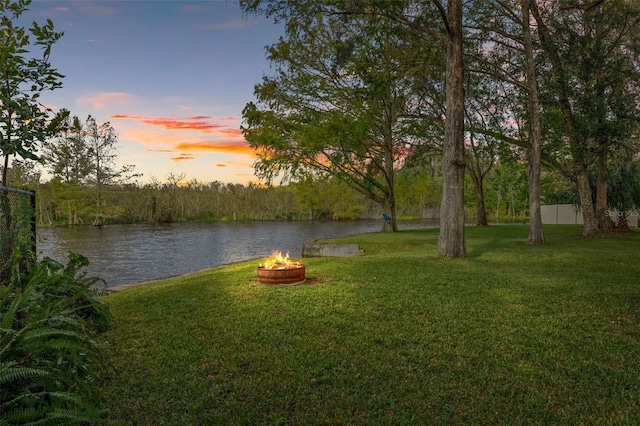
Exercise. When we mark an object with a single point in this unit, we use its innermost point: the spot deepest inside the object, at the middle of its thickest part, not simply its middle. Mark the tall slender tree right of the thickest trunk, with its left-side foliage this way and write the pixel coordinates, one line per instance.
(505, 51)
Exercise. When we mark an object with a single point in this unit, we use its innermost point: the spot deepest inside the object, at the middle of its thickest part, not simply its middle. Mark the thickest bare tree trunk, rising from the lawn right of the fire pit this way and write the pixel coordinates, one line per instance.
(451, 241)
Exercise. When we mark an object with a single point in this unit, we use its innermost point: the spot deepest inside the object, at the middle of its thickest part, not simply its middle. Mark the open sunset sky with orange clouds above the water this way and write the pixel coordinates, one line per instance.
(171, 76)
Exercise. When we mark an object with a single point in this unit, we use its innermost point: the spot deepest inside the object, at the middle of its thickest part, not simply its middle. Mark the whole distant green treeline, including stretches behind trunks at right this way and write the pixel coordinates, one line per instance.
(417, 192)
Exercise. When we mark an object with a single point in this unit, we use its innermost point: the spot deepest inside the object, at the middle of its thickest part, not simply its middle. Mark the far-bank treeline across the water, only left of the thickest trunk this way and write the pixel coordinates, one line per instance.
(60, 203)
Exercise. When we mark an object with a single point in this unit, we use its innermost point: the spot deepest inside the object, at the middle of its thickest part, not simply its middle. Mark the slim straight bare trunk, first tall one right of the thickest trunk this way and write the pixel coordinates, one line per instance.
(536, 236)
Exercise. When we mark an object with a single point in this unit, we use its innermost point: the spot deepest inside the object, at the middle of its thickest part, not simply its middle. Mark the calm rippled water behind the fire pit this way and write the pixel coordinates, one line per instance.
(122, 254)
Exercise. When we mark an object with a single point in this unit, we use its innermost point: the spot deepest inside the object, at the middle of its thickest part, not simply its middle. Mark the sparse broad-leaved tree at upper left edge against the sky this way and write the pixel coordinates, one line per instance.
(24, 75)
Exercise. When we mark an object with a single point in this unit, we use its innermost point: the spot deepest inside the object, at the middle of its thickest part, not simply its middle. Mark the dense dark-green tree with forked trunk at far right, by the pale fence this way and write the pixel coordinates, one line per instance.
(593, 86)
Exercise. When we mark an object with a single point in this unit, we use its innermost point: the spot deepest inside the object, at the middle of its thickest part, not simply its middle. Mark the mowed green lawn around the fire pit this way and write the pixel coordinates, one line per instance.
(515, 334)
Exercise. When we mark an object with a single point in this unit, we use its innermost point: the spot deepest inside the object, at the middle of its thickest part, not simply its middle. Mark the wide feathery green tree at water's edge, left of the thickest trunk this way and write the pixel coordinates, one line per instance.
(337, 106)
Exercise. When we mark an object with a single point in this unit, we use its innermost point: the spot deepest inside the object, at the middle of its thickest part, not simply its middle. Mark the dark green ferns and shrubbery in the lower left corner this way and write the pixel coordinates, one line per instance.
(48, 358)
